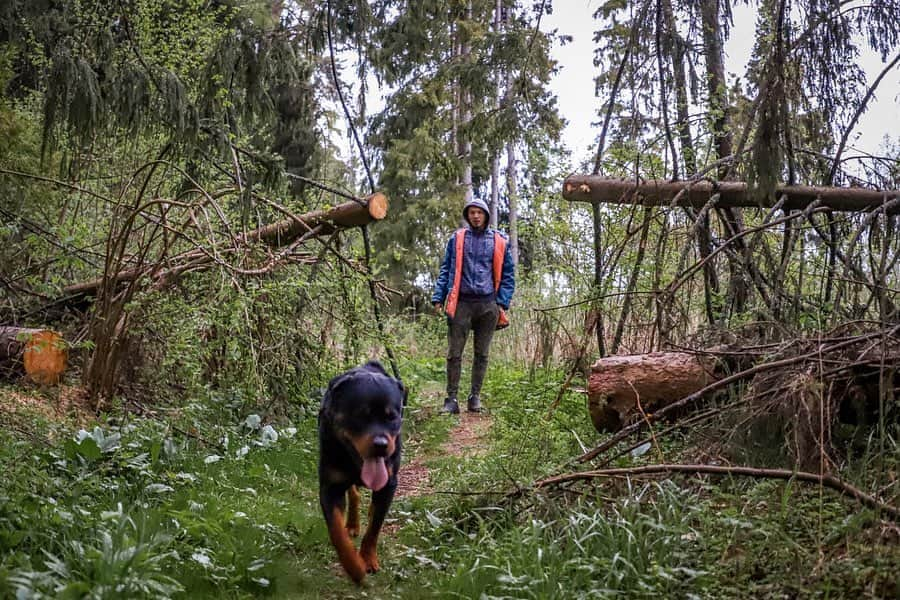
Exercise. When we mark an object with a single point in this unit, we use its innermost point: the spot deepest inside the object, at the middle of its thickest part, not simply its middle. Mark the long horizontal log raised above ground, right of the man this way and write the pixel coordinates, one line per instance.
(593, 188)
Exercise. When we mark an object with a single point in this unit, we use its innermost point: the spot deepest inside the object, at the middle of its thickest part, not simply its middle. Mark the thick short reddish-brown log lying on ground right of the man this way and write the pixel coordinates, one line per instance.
(617, 383)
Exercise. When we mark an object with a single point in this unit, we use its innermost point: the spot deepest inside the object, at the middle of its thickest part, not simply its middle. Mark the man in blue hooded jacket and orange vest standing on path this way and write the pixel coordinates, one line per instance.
(474, 288)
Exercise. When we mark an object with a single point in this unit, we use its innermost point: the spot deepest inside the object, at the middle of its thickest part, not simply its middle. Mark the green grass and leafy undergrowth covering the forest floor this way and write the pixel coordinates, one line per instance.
(213, 501)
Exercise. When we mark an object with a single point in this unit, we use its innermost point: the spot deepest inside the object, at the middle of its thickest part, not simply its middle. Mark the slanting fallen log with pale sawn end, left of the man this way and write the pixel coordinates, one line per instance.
(276, 235)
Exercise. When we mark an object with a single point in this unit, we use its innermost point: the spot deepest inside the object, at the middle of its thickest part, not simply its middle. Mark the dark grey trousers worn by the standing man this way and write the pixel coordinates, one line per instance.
(480, 317)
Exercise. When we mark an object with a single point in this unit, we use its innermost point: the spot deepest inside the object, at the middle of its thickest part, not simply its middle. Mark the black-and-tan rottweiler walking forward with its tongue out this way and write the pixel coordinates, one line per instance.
(359, 444)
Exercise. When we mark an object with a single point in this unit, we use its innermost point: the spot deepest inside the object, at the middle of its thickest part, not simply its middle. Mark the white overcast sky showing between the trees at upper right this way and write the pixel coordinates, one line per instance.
(574, 84)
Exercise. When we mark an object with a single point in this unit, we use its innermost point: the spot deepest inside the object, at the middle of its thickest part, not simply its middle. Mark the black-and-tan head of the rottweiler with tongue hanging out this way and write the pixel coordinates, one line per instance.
(364, 407)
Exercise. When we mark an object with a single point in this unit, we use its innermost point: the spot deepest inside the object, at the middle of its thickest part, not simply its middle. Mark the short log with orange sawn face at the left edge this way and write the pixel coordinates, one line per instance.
(41, 354)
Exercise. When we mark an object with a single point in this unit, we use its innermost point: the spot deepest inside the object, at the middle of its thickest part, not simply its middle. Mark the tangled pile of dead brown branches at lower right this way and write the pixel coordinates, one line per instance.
(803, 393)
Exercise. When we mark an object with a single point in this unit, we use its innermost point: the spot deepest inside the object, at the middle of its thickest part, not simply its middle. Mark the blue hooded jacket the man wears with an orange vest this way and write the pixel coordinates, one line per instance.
(477, 282)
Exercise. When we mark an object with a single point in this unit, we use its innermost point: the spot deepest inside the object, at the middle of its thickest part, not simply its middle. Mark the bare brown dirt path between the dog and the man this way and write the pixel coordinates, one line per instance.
(464, 440)
